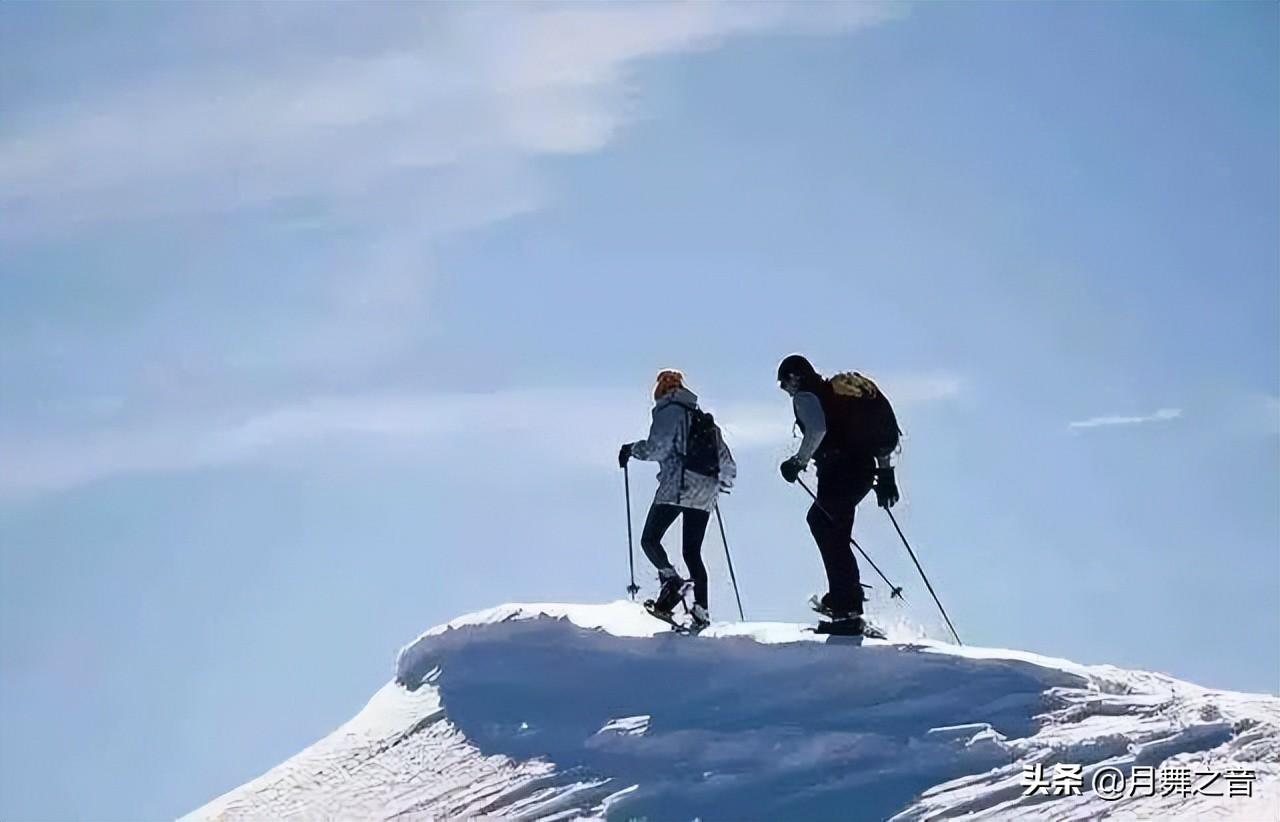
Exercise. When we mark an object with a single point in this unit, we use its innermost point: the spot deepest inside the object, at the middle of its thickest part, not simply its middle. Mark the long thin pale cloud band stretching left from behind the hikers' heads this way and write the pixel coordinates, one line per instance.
(579, 427)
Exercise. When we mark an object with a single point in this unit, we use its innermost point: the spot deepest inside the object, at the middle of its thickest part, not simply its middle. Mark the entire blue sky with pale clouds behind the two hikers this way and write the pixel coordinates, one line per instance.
(322, 326)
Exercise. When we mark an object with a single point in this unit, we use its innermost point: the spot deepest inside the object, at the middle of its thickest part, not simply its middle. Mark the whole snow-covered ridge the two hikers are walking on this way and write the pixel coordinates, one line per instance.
(566, 713)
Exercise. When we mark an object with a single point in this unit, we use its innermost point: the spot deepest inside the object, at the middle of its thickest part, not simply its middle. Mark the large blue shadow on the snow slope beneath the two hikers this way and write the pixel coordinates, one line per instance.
(735, 729)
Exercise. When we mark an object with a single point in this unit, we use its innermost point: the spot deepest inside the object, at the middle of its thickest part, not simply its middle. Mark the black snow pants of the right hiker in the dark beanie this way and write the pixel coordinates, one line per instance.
(842, 486)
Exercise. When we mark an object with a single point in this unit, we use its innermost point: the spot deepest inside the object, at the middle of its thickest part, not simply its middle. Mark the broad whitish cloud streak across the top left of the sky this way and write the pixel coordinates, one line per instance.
(442, 90)
